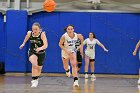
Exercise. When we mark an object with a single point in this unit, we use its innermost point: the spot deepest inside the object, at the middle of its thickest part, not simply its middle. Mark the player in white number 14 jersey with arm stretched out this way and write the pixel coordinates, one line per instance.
(90, 53)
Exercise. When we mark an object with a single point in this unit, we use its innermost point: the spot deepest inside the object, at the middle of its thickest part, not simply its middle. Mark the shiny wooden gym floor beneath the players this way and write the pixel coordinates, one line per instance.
(59, 83)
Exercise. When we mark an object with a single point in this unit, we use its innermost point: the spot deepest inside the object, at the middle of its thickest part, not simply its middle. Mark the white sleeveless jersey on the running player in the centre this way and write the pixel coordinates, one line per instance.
(69, 43)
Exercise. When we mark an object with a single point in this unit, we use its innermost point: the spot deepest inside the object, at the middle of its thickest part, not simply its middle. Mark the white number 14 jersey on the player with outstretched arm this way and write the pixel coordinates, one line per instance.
(91, 44)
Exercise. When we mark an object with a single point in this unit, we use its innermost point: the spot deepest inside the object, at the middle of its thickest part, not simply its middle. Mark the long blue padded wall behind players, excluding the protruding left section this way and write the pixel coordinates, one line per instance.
(118, 32)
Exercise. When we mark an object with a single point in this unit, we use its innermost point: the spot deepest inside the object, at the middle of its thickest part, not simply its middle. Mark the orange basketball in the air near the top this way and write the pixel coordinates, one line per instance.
(49, 5)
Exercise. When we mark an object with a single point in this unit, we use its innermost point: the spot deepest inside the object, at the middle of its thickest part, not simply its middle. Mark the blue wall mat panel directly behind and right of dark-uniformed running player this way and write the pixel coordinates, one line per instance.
(50, 24)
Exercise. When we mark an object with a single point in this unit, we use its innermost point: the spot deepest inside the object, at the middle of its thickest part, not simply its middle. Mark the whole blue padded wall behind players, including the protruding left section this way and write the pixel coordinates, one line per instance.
(118, 32)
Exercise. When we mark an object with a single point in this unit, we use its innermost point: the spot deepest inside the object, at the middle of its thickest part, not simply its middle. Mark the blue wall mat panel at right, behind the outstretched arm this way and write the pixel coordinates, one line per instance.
(118, 32)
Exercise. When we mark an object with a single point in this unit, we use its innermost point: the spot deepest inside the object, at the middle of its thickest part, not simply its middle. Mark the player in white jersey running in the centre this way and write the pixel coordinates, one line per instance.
(67, 44)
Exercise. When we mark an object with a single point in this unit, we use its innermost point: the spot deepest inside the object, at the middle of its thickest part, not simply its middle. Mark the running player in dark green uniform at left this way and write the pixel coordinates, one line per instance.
(36, 53)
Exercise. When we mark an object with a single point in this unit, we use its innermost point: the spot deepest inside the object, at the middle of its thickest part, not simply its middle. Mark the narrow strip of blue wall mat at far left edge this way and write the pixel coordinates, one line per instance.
(2, 36)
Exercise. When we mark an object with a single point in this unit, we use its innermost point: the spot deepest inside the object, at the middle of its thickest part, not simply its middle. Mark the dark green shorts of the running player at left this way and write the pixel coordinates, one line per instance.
(41, 57)
